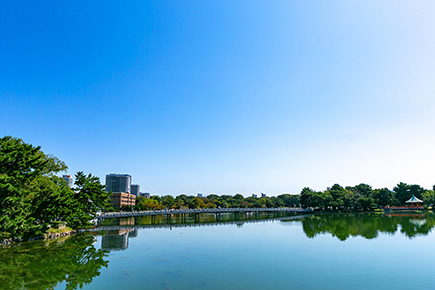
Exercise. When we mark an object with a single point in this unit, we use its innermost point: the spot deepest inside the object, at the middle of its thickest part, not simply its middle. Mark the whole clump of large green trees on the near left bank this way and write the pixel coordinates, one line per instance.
(33, 198)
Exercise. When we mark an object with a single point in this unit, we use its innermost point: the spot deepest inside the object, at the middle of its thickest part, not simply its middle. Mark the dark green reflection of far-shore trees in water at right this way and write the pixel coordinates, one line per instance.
(366, 225)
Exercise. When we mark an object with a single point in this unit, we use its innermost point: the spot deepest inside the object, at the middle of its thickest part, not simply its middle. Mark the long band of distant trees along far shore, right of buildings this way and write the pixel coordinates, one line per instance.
(359, 197)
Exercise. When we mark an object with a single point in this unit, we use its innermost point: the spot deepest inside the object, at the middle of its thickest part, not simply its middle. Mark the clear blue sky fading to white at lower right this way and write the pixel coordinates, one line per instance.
(225, 96)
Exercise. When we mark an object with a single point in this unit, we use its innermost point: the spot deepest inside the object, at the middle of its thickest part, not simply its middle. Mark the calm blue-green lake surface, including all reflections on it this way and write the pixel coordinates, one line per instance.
(326, 251)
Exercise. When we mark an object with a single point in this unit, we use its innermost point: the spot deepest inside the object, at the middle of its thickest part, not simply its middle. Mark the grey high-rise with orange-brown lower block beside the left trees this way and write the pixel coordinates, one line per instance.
(120, 186)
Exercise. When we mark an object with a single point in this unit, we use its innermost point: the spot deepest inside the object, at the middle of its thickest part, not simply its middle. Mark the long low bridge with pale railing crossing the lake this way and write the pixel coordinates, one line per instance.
(199, 211)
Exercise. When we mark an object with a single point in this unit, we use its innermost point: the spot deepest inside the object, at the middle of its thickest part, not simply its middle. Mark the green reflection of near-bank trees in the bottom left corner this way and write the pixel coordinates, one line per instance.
(42, 265)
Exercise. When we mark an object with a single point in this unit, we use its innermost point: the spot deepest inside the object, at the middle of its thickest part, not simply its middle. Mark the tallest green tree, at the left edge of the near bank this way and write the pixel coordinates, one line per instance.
(22, 166)
